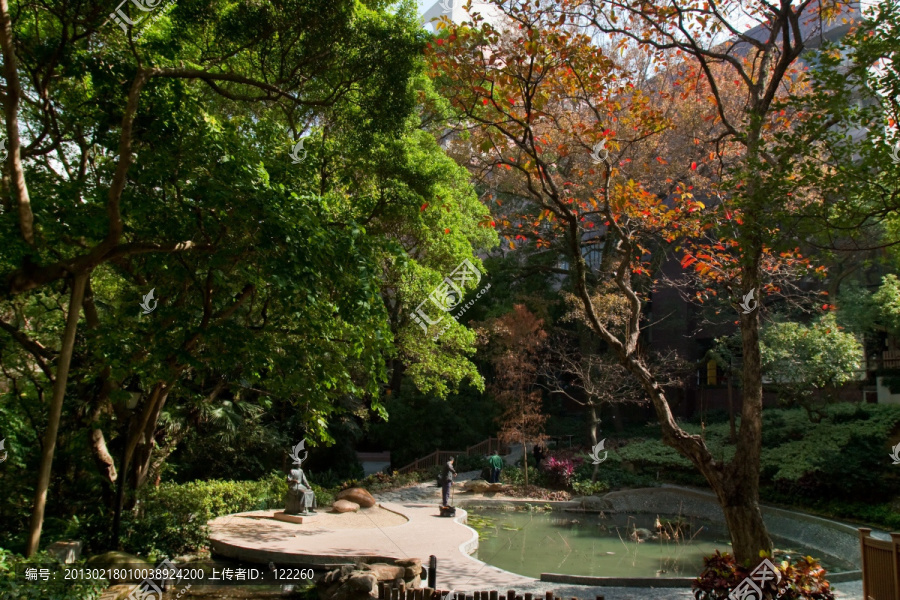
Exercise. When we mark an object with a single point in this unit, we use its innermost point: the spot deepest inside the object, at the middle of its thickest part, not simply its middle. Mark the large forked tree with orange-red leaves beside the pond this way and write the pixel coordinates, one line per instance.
(564, 139)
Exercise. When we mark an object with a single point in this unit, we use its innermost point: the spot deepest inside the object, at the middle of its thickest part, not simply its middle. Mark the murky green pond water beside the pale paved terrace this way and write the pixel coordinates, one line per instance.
(531, 543)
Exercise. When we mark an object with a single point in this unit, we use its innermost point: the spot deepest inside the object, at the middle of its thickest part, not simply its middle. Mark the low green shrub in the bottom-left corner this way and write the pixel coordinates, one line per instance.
(13, 584)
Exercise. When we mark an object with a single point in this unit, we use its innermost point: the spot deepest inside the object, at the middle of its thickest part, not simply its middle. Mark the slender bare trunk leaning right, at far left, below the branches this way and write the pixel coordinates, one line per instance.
(59, 392)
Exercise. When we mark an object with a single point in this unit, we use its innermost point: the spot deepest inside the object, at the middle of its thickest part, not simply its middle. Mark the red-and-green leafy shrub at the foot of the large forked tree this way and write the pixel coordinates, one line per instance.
(802, 580)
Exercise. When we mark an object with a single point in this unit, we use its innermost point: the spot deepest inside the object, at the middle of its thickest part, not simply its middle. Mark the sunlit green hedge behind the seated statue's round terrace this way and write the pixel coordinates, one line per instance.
(172, 519)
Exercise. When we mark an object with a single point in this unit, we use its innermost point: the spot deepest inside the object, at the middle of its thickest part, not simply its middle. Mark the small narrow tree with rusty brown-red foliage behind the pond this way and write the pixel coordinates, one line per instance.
(517, 340)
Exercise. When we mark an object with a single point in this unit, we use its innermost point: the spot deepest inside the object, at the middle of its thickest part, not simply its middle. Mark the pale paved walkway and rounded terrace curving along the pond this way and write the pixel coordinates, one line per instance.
(255, 537)
